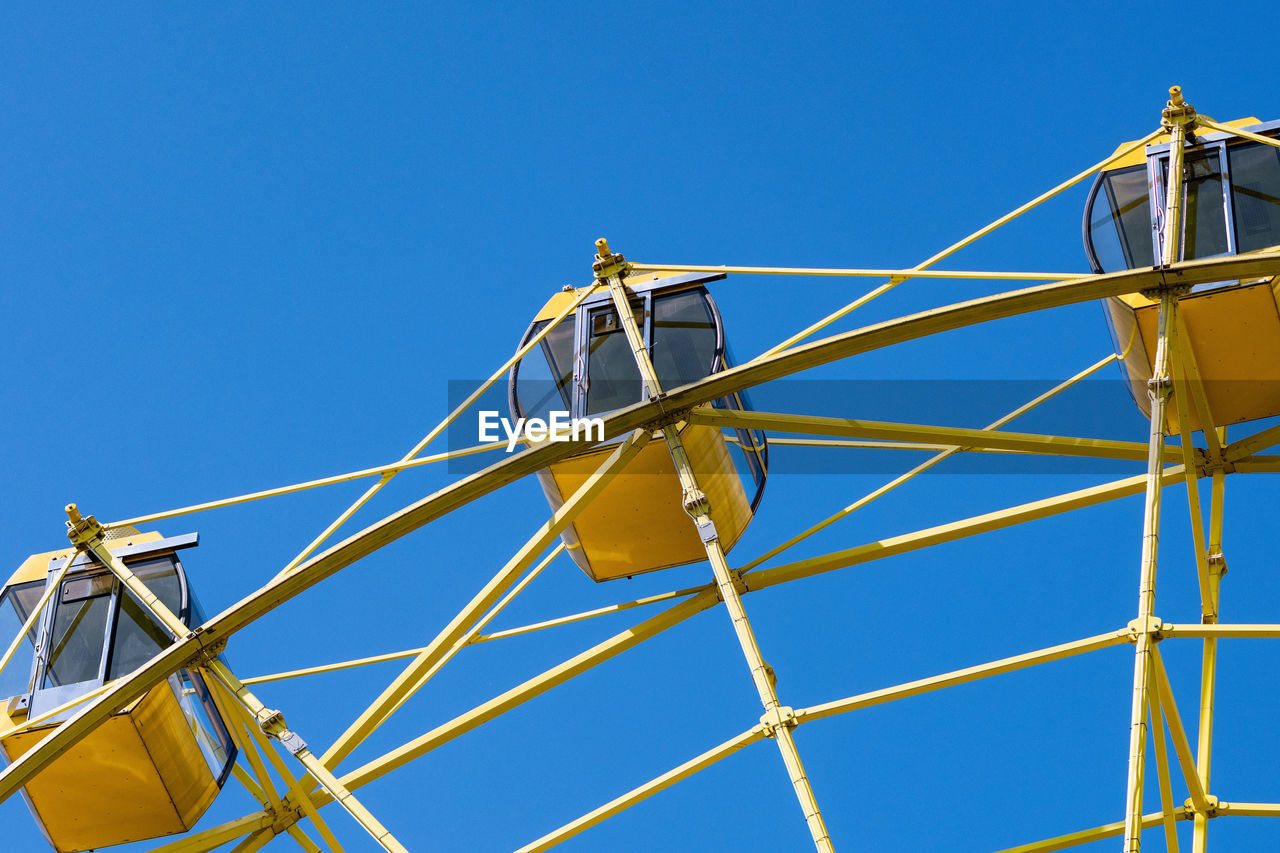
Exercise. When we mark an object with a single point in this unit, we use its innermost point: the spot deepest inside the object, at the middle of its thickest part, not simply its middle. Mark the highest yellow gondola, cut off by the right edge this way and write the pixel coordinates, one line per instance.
(1232, 207)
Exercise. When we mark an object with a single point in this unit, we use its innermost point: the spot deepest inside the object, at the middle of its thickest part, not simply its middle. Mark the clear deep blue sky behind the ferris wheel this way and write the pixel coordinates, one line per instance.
(244, 248)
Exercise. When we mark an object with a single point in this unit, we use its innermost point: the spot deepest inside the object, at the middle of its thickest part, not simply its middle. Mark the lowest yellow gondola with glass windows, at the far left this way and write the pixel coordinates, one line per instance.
(152, 769)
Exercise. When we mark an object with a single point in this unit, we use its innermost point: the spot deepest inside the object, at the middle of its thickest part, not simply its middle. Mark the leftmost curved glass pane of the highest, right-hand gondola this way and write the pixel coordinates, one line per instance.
(1121, 222)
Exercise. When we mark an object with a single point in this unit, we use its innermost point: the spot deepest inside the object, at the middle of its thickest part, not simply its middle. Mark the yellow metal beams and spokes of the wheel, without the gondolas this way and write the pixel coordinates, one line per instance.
(286, 800)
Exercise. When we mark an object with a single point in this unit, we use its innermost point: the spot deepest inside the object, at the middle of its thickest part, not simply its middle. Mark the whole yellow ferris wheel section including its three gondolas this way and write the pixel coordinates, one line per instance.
(124, 720)
